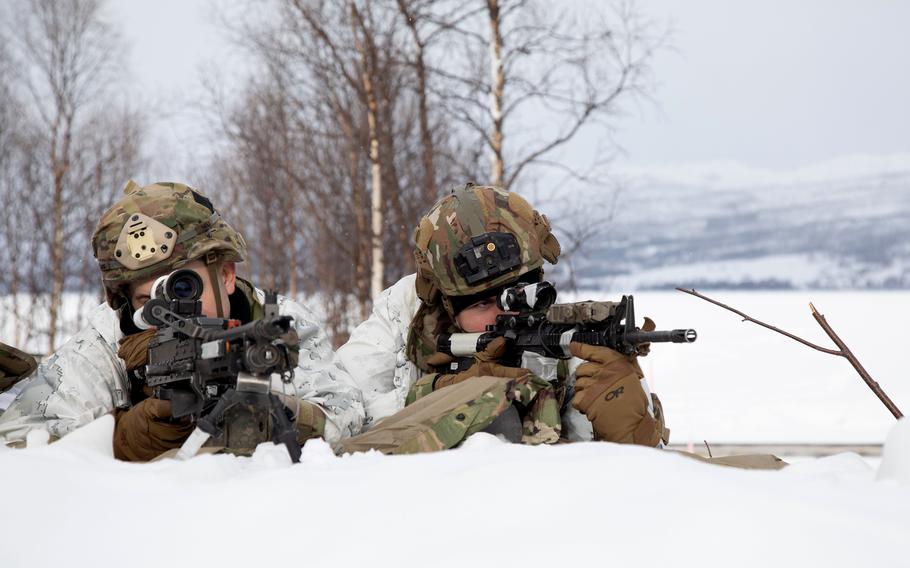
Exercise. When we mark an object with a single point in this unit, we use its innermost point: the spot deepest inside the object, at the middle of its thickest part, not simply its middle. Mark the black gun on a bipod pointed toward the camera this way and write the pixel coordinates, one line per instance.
(216, 370)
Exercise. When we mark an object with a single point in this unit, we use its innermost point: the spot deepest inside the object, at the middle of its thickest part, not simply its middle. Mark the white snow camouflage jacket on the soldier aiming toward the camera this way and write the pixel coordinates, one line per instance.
(85, 379)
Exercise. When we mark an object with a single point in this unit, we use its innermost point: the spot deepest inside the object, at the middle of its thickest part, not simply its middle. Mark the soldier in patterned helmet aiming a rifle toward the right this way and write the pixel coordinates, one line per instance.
(392, 356)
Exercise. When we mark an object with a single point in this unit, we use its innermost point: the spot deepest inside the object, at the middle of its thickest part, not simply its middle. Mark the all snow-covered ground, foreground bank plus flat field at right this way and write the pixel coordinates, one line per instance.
(492, 504)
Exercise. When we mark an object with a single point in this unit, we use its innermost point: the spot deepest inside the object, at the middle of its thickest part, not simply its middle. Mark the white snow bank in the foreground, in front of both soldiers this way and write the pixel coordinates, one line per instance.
(486, 504)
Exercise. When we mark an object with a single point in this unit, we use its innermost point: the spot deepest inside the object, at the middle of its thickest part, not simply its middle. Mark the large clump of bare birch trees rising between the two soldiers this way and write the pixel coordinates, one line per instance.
(363, 111)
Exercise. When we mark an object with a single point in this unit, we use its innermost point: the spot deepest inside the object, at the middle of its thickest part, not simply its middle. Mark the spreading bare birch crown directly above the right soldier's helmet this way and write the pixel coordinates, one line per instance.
(553, 71)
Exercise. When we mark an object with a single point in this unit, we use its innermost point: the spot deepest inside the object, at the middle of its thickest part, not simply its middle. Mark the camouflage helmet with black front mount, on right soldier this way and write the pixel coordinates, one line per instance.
(478, 238)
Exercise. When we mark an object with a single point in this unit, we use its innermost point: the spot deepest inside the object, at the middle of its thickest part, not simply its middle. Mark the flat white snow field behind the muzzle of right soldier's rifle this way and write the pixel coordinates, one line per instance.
(740, 383)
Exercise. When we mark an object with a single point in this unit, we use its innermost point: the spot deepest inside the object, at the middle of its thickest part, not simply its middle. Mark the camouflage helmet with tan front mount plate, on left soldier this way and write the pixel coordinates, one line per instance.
(155, 229)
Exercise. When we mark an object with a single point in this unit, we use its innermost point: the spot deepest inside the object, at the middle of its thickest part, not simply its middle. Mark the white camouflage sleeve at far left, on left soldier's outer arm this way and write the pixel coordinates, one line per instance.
(77, 384)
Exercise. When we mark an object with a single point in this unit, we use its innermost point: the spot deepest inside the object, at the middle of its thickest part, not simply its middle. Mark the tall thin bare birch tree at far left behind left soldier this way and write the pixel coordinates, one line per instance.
(68, 60)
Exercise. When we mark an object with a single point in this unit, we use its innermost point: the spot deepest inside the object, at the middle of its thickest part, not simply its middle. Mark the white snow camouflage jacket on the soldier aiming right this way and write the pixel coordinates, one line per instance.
(376, 357)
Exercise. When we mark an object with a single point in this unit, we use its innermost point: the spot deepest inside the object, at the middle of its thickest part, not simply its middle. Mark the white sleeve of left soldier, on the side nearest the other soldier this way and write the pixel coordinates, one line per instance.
(318, 380)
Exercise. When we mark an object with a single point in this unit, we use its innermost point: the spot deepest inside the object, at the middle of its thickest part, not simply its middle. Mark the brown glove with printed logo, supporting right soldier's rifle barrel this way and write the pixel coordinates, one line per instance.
(608, 391)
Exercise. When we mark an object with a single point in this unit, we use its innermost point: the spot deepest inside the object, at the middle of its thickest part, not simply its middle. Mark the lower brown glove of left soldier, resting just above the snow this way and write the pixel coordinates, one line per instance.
(147, 430)
